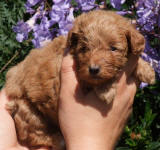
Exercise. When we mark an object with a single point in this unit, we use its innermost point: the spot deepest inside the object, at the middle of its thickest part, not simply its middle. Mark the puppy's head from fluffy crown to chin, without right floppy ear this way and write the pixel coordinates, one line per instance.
(100, 46)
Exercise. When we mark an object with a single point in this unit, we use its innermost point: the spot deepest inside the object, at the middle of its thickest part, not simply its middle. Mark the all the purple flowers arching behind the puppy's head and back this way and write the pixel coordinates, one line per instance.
(53, 18)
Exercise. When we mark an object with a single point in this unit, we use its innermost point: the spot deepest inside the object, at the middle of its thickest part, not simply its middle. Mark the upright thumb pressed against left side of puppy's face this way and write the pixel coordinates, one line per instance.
(68, 76)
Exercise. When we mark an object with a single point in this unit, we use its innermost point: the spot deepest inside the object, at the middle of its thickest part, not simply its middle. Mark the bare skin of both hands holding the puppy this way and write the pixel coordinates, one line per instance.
(86, 122)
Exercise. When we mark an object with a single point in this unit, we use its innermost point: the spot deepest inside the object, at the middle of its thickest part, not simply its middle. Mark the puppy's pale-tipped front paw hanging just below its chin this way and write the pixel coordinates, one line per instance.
(105, 93)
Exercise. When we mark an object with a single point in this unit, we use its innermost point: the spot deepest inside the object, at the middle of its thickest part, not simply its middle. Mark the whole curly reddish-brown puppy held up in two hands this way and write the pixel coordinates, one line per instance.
(100, 42)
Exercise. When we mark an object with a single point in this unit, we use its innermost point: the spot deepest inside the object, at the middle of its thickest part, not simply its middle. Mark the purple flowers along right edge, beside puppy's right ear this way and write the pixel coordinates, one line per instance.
(148, 22)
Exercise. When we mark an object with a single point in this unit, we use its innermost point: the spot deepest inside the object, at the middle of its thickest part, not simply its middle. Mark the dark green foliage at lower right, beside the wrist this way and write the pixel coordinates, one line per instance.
(143, 128)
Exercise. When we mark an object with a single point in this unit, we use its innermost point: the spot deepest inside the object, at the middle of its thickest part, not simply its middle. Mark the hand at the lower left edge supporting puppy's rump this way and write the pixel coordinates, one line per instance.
(8, 137)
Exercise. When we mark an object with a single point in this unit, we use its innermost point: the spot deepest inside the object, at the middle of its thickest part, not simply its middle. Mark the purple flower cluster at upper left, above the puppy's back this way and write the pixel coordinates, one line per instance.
(49, 20)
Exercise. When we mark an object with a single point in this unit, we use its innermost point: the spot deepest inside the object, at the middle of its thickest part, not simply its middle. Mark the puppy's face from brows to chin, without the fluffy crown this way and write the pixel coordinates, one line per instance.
(100, 57)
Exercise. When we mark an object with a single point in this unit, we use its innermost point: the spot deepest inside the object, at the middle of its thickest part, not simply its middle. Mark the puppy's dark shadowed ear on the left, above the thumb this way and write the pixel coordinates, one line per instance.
(72, 41)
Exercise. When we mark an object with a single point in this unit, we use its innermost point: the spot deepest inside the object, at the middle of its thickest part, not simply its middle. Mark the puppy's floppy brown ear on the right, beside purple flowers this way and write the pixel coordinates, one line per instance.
(136, 41)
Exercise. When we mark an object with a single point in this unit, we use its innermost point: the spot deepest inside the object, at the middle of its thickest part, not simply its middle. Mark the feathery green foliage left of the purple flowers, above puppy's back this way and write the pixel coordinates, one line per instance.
(10, 13)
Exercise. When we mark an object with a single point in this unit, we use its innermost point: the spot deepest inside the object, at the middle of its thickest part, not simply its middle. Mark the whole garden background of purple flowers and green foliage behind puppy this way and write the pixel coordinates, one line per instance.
(25, 24)
